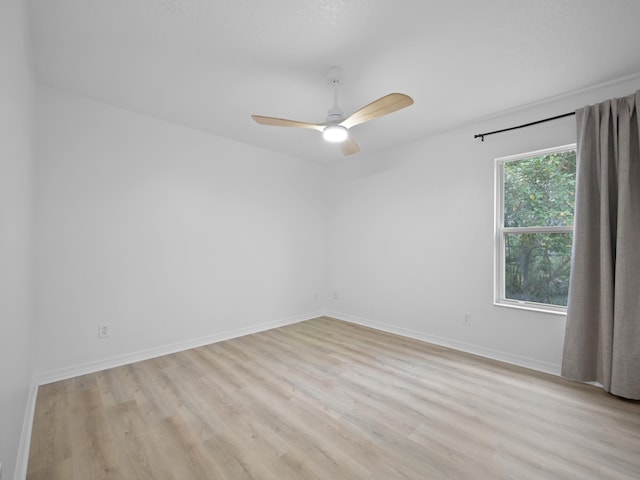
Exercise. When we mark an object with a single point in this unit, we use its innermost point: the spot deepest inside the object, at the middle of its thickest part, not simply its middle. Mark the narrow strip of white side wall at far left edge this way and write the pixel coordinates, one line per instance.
(16, 92)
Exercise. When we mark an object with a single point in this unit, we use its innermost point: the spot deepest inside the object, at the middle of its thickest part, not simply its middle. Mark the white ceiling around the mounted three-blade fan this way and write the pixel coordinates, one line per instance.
(210, 64)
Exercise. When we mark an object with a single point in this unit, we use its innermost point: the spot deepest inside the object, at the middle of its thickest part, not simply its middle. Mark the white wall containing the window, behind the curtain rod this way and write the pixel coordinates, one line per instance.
(411, 237)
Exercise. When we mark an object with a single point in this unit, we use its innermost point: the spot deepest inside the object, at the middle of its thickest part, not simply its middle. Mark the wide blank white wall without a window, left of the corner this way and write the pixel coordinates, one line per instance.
(172, 235)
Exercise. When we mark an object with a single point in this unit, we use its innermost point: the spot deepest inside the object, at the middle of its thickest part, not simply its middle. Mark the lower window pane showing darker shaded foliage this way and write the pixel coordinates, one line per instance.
(537, 267)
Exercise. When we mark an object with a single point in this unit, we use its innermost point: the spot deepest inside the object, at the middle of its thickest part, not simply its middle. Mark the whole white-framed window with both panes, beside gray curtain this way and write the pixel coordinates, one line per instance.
(535, 197)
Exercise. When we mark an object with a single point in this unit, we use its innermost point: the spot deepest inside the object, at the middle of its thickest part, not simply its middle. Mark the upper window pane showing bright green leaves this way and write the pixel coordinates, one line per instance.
(540, 191)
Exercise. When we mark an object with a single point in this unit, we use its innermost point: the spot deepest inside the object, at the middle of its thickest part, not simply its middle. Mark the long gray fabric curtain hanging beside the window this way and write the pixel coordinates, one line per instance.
(602, 341)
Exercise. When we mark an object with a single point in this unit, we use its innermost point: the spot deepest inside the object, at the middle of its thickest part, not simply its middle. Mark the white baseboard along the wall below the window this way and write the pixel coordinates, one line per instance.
(506, 357)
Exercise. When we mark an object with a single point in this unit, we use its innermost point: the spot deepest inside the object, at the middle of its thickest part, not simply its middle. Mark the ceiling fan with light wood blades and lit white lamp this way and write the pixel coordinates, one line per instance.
(336, 127)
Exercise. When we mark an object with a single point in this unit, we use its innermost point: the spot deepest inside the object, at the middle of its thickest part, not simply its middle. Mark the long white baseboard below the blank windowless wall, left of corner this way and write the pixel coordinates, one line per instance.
(117, 361)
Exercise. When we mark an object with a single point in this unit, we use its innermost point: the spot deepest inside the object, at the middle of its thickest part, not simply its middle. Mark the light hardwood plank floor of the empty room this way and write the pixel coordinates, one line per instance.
(324, 399)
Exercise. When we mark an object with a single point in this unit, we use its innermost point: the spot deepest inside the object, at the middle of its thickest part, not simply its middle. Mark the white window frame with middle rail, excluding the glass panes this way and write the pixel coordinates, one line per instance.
(500, 232)
